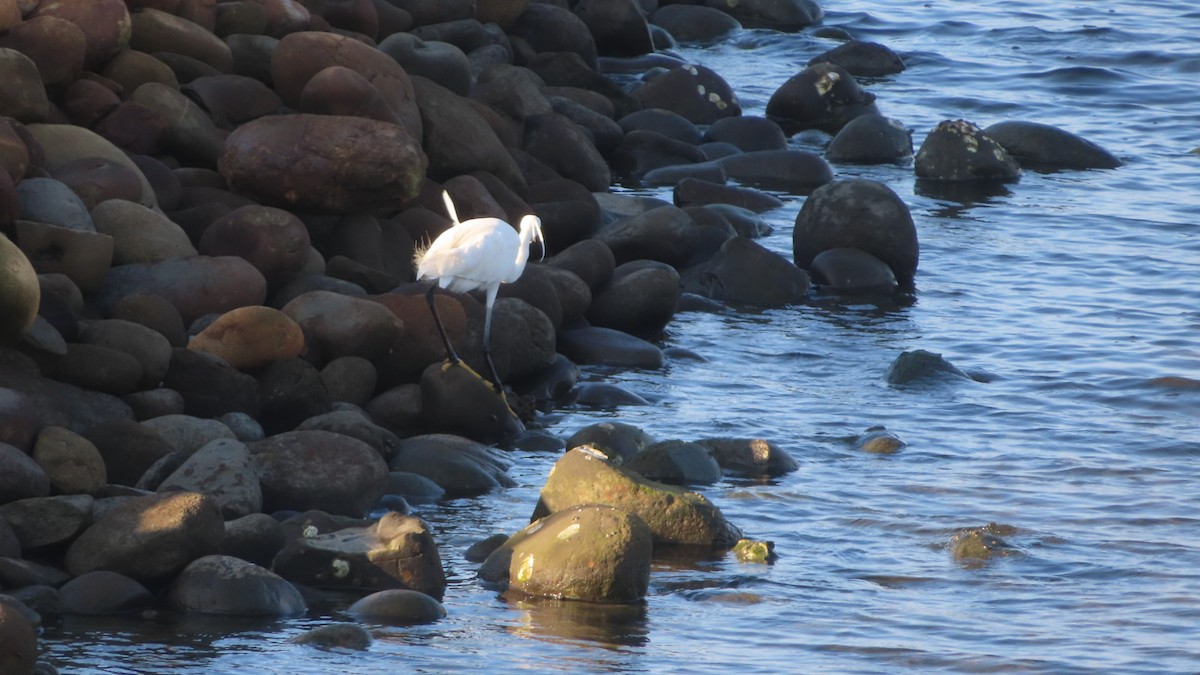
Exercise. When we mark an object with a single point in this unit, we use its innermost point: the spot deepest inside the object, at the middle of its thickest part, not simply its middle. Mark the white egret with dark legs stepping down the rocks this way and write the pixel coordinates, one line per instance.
(482, 253)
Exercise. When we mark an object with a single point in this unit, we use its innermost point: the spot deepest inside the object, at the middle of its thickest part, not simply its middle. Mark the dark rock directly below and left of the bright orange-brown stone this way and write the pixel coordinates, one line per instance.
(209, 386)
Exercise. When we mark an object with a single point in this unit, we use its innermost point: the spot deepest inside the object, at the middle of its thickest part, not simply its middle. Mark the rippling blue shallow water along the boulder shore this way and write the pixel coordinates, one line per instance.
(1072, 297)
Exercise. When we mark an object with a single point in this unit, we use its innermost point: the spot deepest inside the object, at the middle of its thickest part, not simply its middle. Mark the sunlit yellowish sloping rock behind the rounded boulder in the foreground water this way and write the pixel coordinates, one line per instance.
(675, 516)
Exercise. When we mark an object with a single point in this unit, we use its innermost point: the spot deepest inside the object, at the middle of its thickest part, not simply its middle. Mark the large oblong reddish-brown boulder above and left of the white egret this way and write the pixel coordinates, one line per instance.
(325, 164)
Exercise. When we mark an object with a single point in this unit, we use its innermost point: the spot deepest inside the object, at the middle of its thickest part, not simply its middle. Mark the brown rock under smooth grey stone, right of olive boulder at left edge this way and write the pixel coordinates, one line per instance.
(81, 255)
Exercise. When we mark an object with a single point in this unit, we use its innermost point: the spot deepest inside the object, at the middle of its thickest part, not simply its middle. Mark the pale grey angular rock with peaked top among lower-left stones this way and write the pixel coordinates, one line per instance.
(224, 471)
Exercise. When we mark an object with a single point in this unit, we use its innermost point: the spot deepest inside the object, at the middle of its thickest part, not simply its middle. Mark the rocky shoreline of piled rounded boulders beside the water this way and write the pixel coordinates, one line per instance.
(217, 365)
